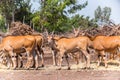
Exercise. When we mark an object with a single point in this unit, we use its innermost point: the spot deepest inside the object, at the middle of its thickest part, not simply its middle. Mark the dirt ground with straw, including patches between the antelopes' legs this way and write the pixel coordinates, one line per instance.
(50, 72)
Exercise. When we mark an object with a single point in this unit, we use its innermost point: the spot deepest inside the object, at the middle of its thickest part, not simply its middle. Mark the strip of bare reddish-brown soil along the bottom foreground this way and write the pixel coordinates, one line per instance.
(59, 75)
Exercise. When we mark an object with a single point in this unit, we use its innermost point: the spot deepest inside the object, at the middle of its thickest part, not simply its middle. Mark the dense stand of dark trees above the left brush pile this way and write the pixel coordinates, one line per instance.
(15, 10)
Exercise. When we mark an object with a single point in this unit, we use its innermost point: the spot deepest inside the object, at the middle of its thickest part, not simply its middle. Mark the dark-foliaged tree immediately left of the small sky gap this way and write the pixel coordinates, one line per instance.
(23, 11)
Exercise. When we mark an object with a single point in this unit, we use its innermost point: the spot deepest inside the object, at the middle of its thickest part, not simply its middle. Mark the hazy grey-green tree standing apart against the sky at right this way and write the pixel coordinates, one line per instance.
(102, 16)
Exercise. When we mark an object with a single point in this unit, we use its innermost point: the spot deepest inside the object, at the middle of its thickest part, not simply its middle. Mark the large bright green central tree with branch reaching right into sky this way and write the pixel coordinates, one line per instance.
(53, 13)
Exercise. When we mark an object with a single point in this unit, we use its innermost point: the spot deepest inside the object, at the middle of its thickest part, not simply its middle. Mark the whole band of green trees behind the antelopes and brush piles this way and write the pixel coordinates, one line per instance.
(53, 15)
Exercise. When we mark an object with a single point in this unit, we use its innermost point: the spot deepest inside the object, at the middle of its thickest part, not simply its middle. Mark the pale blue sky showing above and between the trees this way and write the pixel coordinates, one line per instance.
(92, 6)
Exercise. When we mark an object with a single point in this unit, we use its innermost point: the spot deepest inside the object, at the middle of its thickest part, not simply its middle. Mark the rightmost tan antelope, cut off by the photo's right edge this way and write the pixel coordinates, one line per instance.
(104, 44)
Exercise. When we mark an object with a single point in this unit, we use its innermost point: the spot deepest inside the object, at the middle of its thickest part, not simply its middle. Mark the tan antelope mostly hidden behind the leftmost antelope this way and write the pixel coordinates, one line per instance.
(38, 51)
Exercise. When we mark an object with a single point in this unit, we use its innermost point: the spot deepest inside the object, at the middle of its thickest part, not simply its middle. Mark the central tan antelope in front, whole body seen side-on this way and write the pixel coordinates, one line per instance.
(67, 45)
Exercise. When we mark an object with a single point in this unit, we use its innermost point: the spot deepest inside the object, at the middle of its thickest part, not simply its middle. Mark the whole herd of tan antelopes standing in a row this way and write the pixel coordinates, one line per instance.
(13, 48)
